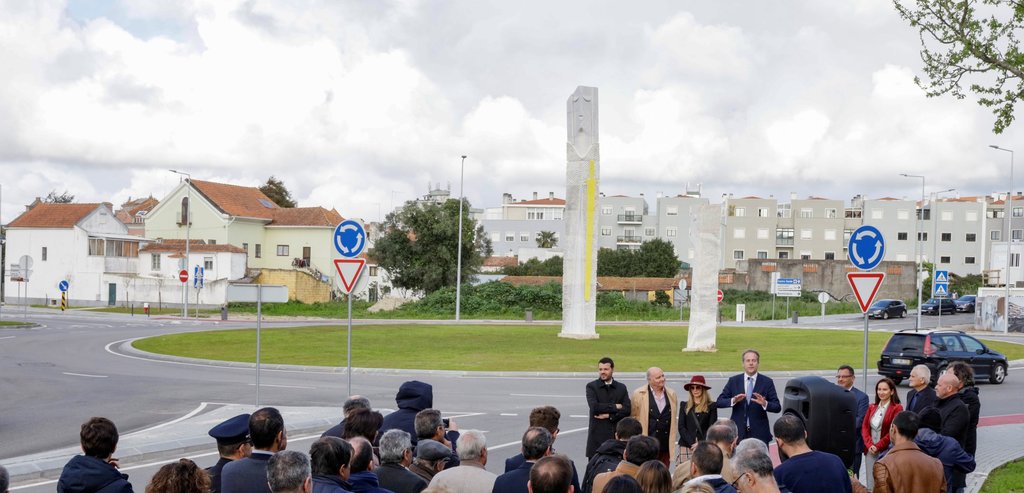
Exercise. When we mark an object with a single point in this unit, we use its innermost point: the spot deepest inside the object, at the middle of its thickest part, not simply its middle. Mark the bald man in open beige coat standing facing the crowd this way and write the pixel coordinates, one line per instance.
(658, 410)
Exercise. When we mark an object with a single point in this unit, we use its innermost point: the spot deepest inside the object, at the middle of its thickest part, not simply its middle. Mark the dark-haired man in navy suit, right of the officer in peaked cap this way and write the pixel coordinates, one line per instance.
(267, 429)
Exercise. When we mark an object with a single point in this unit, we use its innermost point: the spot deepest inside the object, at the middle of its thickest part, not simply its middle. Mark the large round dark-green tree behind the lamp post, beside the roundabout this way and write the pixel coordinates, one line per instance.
(419, 245)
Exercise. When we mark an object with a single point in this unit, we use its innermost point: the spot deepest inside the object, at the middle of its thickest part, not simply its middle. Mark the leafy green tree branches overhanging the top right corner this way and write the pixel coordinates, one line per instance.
(961, 44)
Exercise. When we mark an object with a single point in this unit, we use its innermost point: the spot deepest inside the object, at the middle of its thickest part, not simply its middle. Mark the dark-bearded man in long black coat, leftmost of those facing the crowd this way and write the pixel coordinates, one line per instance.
(609, 402)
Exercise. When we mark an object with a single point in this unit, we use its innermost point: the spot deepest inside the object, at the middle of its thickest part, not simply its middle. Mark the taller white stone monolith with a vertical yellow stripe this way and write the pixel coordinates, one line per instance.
(583, 172)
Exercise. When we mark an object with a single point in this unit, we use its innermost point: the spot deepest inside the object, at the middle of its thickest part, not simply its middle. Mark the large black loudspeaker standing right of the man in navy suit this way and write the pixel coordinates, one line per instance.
(829, 413)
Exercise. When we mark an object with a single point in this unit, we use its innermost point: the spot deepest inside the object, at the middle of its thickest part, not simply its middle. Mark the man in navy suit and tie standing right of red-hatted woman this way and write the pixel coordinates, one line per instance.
(752, 397)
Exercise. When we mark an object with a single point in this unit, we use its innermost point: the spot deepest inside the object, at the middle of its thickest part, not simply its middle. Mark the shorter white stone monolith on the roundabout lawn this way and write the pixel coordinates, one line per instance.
(707, 237)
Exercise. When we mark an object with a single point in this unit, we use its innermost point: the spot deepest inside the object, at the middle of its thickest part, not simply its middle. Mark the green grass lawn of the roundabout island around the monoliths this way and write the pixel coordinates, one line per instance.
(529, 348)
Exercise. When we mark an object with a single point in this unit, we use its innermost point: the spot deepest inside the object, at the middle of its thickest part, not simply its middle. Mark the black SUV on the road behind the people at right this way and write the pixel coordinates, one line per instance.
(908, 349)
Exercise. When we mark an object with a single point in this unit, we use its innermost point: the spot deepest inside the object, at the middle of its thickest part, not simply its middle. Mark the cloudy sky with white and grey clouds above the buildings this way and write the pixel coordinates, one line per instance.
(360, 105)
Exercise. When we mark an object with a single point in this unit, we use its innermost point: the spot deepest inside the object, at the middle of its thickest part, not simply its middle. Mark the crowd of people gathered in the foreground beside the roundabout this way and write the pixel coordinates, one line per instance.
(647, 441)
